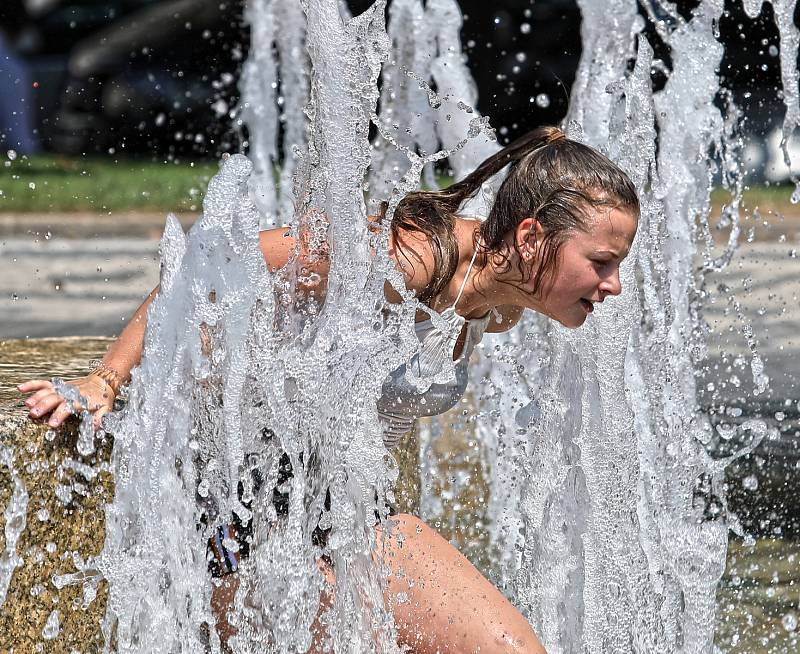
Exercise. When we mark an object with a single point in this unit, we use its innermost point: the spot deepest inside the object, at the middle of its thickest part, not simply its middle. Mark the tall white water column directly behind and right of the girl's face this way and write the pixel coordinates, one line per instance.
(618, 554)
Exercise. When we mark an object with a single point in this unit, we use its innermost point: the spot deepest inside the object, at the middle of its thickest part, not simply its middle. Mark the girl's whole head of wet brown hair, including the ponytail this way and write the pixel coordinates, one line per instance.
(550, 178)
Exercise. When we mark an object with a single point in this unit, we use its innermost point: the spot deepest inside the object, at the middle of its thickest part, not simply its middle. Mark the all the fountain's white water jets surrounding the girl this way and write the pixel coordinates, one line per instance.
(601, 467)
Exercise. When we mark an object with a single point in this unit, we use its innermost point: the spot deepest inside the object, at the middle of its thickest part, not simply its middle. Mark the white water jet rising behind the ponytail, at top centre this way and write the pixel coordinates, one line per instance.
(415, 120)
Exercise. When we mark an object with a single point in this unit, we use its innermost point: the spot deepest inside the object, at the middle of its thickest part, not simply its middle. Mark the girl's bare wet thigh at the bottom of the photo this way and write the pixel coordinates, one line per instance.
(441, 603)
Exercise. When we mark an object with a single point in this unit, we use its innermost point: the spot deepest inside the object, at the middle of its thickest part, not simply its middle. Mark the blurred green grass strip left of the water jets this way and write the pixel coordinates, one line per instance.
(56, 184)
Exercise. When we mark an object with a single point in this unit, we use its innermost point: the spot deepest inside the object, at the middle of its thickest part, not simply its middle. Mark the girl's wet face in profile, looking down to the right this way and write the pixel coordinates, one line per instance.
(588, 267)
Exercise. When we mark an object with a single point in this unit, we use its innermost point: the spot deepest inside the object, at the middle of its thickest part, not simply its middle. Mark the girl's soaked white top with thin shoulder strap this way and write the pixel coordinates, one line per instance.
(431, 382)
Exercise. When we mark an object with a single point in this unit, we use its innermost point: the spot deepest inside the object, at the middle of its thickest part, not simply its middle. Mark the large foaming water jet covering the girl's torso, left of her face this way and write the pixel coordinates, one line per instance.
(230, 367)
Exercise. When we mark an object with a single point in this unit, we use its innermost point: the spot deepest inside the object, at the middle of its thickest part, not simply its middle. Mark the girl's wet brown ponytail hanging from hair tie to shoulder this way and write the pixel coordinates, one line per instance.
(433, 213)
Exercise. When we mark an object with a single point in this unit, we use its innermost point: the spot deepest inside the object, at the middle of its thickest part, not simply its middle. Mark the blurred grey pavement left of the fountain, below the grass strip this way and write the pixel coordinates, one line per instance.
(76, 274)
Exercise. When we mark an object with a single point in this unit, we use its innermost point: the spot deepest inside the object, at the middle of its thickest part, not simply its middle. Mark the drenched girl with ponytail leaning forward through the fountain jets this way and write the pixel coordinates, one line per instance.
(562, 221)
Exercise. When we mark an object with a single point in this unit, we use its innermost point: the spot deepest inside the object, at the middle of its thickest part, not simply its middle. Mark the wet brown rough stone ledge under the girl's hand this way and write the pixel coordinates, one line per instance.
(63, 527)
